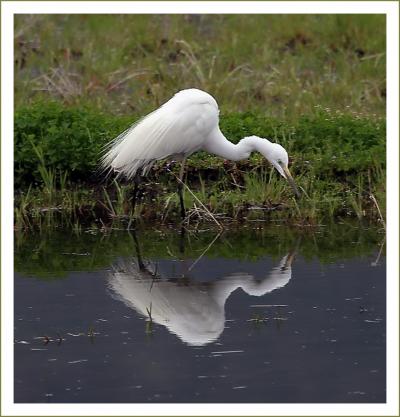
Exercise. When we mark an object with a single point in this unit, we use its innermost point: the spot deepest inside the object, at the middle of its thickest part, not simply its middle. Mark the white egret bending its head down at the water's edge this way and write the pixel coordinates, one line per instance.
(187, 123)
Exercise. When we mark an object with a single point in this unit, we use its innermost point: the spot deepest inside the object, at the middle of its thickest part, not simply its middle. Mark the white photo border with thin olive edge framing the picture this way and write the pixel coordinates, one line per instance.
(391, 9)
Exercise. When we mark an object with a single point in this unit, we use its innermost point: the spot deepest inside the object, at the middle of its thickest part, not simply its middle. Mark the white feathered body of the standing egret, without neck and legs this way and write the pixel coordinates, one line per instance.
(177, 129)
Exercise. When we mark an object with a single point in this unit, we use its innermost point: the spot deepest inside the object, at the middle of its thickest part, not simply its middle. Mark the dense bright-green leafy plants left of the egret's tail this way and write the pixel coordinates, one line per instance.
(61, 139)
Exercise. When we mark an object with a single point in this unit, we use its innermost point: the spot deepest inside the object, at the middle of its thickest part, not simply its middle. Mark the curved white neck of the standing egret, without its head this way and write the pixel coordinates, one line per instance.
(219, 145)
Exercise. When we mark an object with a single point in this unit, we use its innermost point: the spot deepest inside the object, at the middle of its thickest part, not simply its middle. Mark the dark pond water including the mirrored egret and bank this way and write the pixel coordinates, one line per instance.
(250, 316)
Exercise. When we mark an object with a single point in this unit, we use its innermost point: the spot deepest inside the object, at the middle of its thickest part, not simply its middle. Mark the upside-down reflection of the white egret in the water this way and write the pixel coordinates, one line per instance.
(193, 310)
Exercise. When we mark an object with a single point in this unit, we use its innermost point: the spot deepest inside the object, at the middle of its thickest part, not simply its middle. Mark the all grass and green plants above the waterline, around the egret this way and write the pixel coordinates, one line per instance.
(313, 83)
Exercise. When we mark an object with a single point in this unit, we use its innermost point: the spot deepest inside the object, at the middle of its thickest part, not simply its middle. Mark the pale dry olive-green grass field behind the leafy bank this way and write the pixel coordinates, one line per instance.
(282, 65)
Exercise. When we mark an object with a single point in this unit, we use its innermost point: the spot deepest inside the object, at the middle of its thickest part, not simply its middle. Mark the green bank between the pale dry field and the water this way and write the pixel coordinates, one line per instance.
(338, 160)
